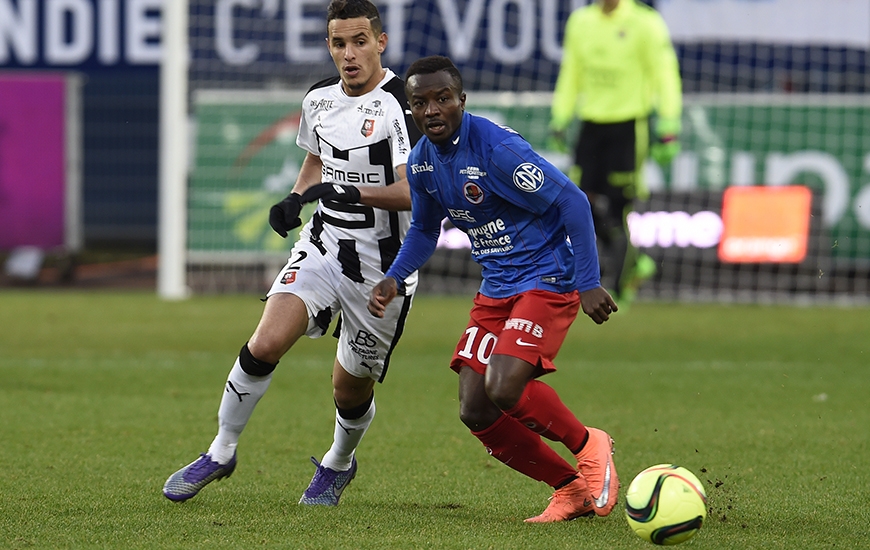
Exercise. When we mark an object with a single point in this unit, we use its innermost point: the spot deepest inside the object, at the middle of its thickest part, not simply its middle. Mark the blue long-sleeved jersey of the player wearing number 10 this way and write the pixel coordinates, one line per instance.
(493, 186)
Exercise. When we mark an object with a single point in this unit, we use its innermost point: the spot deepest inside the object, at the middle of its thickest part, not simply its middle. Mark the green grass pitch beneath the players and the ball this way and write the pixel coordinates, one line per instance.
(103, 395)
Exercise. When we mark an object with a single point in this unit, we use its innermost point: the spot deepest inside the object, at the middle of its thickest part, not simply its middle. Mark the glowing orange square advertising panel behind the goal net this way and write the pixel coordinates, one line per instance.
(765, 224)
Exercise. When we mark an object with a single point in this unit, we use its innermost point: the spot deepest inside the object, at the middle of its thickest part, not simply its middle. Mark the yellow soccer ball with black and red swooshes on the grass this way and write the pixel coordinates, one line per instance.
(665, 504)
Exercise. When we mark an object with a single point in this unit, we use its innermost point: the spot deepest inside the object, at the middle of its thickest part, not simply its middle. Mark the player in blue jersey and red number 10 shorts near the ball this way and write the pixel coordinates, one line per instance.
(531, 231)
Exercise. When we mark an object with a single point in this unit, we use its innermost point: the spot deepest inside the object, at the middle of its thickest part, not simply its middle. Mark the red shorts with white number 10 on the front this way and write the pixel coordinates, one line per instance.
(530, 326)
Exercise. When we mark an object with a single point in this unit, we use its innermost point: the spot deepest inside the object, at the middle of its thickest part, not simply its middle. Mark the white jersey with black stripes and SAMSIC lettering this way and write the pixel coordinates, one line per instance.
(360, 141)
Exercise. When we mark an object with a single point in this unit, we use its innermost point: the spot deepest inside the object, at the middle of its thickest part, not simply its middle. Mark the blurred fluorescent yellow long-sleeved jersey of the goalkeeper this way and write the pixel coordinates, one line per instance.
(617, 67)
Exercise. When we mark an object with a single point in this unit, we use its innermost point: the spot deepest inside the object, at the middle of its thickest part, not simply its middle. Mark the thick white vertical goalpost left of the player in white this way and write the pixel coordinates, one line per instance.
(172, 191)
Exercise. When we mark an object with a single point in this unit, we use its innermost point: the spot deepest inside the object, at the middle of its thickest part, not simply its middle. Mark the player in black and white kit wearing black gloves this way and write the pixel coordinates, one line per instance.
(358, 133)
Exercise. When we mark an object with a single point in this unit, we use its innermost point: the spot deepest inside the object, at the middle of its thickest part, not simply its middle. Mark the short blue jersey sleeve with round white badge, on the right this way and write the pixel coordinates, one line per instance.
(526, 179)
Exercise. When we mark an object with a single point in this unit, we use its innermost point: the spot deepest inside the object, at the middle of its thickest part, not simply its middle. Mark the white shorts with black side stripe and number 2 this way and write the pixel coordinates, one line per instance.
(365, 342)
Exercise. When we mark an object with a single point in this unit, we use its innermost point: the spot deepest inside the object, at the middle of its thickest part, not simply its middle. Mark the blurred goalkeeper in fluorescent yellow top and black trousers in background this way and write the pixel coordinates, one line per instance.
(618, 68)
